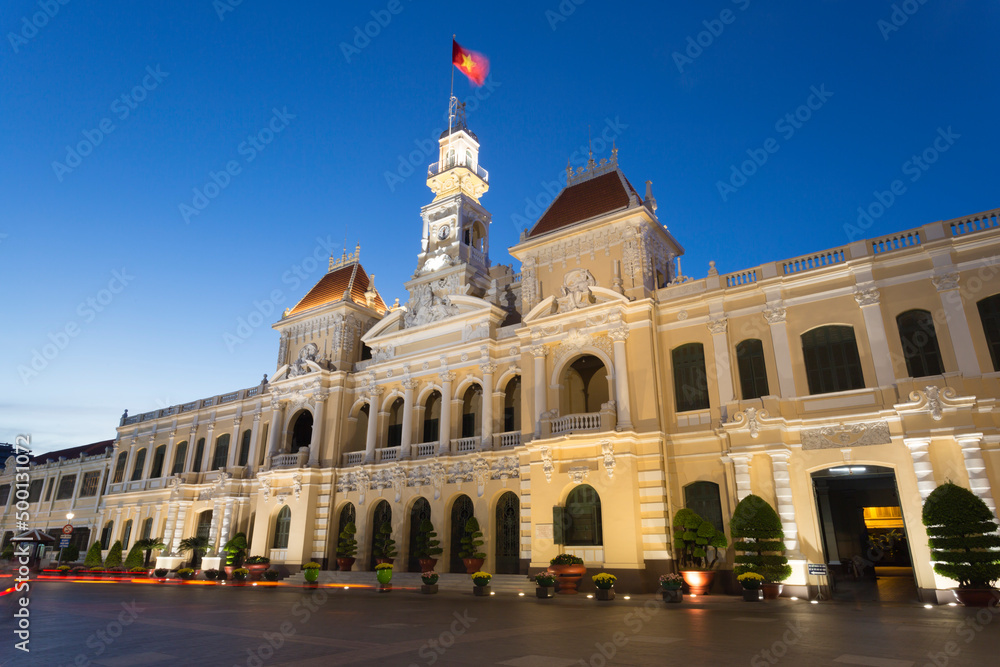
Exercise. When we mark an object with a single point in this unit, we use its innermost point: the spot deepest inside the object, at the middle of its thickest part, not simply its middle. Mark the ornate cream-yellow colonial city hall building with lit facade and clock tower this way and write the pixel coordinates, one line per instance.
(577, 405)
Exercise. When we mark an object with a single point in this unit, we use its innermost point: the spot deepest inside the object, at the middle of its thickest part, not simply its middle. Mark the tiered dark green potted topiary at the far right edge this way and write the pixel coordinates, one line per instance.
(964, 543)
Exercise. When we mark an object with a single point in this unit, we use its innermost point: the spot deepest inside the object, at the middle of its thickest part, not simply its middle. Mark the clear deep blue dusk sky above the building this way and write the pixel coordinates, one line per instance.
(120, 300)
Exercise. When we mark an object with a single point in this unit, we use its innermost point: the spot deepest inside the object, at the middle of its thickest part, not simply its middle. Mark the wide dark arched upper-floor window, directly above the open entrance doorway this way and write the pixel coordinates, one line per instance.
(831, 358)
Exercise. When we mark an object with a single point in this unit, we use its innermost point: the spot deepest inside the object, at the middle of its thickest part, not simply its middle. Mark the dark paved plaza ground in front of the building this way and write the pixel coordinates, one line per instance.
(119, 625)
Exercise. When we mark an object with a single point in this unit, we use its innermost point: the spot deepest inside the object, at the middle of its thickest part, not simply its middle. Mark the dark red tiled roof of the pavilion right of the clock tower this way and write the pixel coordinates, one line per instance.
(582, 201)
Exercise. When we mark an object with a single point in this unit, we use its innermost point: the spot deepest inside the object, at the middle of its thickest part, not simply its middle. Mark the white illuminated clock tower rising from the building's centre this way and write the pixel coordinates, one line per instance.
(454, 249)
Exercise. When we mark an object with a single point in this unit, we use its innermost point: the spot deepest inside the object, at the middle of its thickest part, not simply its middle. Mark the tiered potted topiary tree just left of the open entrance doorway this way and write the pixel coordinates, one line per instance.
(758, 542)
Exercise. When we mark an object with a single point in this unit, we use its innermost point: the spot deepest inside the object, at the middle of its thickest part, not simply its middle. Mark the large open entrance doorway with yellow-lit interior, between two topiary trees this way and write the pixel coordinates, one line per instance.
(864, 537)
